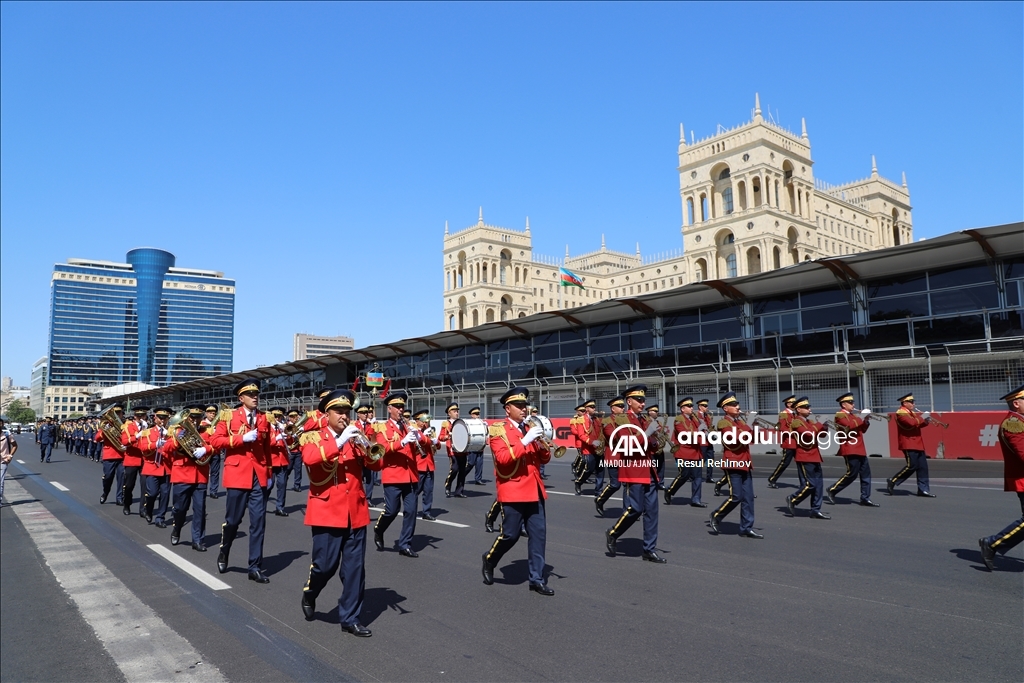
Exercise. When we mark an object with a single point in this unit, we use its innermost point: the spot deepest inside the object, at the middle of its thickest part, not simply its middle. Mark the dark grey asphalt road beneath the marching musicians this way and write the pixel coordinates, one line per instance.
(893, 593)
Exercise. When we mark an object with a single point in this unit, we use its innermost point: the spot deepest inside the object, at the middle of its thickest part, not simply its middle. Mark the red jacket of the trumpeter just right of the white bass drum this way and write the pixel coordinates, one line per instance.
(518, 467)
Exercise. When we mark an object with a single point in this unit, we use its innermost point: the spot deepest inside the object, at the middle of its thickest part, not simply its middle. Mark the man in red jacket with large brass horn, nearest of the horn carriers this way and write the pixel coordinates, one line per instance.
(189, 480)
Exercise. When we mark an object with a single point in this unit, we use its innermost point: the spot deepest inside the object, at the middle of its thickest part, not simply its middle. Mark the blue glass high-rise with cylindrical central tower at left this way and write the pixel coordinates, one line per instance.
(143, 321)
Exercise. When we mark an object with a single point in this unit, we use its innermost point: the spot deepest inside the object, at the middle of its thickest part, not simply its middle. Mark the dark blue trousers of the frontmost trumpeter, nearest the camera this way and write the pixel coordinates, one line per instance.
(345, 551)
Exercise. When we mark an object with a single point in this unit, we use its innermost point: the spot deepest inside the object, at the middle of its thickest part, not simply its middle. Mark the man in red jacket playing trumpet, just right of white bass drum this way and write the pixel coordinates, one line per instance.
(520, 452)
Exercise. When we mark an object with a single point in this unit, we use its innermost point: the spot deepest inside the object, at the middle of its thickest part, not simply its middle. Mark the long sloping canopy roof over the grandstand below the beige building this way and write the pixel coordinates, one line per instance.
(949, 250)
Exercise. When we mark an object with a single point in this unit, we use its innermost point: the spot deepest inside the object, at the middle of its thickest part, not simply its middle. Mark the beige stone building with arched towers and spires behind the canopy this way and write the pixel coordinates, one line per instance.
(750, 203)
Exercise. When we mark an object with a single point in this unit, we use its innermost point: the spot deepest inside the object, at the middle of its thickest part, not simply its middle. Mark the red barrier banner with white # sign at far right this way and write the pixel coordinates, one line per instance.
(974, 436)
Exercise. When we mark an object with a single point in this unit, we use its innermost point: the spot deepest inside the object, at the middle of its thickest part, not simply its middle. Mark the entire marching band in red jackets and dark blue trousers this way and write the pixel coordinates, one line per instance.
(344, 448)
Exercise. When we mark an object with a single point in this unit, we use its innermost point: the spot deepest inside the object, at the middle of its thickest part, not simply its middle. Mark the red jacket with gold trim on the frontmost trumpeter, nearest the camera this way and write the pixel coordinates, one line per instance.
(337, 498)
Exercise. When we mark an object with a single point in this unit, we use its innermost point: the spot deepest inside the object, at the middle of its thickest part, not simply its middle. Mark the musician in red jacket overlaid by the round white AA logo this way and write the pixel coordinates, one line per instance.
(638, 471)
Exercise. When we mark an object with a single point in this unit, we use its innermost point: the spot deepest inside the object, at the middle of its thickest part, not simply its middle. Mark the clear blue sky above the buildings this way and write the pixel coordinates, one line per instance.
(314, 152)
